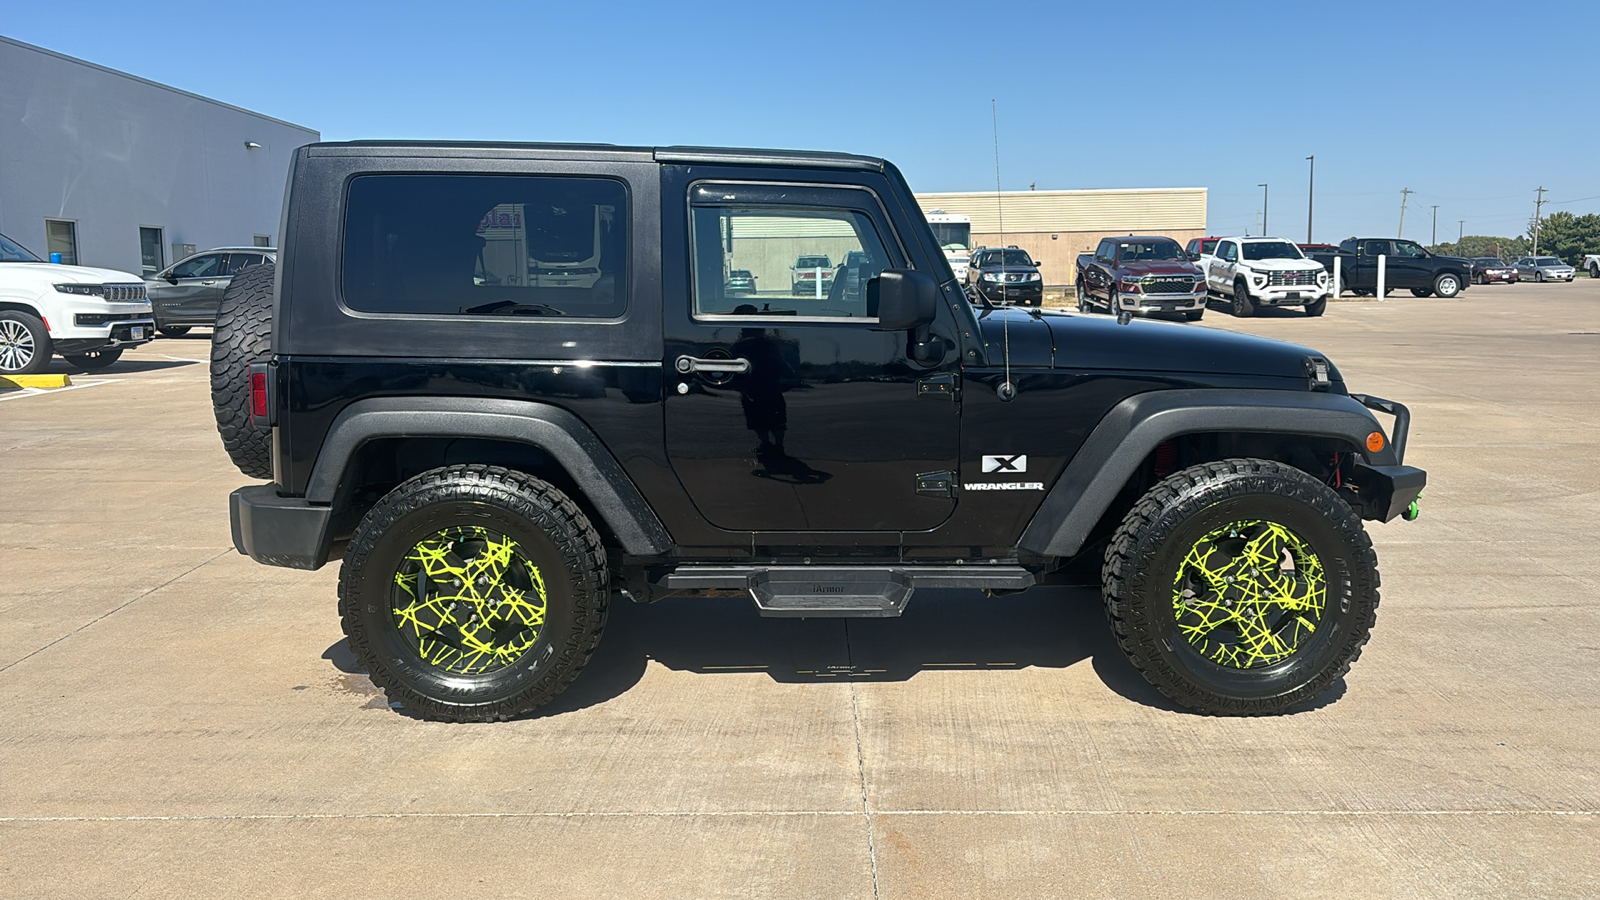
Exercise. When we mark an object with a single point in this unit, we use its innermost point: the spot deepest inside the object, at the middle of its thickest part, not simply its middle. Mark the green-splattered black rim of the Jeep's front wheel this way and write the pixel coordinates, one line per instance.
(1250, 595)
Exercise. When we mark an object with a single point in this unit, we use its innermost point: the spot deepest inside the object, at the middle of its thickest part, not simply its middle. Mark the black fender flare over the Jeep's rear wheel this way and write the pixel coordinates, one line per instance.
(553, 430)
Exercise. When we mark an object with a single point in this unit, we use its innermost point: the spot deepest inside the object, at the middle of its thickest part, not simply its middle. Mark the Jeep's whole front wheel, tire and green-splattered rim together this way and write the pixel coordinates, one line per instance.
(1242, 589)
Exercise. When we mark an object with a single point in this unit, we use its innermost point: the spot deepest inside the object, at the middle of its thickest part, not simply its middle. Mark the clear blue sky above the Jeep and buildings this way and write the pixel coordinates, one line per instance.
(1470, 105)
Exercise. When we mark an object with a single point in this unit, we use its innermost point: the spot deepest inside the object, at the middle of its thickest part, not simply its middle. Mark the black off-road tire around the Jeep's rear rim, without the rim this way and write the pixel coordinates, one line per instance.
(546, 526)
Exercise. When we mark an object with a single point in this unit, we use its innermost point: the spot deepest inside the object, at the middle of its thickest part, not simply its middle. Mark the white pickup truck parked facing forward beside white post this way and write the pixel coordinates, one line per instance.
(1266, 271)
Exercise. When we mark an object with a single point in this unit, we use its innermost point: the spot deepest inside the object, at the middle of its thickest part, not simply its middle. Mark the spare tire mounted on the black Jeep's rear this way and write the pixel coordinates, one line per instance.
(242, 337)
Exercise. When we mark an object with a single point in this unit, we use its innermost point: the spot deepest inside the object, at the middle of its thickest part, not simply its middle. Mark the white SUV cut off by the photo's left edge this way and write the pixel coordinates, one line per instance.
(86, 315)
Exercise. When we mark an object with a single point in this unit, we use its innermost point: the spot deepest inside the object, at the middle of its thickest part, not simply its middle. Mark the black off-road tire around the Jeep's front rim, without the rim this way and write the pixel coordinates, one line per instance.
(1146, 556)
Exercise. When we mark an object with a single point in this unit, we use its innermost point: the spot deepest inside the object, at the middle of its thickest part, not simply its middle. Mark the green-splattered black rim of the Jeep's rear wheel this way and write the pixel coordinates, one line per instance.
(468, 601)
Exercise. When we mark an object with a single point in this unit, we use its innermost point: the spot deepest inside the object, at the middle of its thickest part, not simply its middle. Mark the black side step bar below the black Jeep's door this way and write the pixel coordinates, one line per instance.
(839, 592)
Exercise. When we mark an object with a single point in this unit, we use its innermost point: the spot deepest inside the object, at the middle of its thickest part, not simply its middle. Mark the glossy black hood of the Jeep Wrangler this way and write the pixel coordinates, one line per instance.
(1065, 340)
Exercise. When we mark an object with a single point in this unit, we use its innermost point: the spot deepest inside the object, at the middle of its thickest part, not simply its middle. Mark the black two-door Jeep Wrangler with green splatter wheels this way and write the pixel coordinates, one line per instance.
(506, 382)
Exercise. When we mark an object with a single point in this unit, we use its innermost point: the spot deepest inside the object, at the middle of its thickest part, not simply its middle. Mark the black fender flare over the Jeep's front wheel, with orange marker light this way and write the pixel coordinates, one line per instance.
(1135, 427)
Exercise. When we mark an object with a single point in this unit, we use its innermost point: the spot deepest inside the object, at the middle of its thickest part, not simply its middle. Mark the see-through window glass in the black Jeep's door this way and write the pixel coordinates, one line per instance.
(809, 263)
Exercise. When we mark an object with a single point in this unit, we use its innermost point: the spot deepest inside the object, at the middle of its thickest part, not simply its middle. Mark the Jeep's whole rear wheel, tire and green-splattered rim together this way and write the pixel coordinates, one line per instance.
(474, 593)
